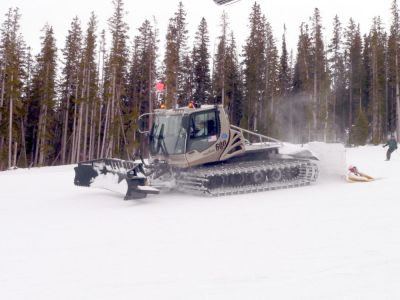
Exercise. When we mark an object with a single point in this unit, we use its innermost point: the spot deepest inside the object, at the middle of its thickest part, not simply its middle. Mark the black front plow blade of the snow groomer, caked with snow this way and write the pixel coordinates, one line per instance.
(116, 175)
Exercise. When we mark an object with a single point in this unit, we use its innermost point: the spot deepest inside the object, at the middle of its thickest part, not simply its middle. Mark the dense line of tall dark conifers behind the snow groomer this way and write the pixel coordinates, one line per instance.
(87, 106)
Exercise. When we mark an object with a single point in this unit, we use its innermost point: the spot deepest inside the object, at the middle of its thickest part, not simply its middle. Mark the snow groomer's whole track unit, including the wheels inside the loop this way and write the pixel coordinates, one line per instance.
(247, 177)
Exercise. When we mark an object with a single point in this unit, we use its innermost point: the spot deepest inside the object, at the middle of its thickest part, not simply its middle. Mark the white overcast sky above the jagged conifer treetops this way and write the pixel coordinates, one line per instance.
(59, 13)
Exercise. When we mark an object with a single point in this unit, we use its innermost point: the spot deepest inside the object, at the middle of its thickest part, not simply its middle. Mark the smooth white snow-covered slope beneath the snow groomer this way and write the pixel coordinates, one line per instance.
(331, 240)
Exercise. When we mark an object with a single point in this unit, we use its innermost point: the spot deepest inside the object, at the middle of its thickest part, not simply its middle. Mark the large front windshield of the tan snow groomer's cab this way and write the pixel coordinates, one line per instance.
(167, 135)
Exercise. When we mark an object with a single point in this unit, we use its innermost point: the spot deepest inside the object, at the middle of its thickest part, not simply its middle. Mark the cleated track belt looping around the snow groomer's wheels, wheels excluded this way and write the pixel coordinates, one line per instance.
(196, 180)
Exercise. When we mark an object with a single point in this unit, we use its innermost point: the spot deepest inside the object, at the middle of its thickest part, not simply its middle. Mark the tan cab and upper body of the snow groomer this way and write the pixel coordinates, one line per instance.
(188, 137)
